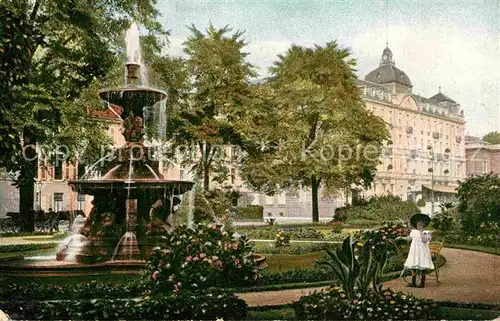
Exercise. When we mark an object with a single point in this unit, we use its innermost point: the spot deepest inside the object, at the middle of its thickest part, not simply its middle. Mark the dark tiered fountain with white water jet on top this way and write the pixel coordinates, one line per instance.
(122, 226)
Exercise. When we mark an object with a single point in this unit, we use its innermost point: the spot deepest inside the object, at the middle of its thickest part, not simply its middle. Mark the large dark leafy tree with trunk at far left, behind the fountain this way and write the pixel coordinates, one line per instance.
(58, 48)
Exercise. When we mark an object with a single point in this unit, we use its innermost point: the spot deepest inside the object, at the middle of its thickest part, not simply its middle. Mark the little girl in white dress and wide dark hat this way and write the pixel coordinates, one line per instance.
(419, 258)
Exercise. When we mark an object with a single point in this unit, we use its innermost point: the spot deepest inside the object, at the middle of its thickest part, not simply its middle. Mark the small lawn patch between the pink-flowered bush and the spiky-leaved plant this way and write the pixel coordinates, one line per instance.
(288, 262)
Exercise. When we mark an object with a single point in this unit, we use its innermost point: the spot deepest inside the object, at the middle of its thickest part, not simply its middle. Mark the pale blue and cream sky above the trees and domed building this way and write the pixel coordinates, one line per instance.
(454, 44)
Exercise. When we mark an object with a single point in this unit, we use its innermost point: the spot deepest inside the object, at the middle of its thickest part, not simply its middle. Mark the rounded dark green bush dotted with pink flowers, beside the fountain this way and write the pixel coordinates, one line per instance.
(200, 258)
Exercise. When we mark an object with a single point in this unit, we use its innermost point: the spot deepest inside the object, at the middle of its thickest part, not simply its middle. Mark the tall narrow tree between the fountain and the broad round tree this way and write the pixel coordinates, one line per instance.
(217, 91)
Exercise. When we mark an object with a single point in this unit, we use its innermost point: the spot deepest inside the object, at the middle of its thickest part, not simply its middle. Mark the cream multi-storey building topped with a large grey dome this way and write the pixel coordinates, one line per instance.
(426, 150)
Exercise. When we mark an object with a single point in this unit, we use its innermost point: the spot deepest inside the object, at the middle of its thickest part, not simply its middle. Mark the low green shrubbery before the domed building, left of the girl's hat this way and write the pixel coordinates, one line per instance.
(381, 209)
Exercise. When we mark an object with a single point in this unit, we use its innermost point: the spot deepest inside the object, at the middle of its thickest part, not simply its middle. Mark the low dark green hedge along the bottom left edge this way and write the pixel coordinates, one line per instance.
(208, 304)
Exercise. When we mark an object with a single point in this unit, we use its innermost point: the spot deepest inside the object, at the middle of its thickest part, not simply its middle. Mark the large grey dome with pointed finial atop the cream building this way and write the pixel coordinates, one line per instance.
(387, 72)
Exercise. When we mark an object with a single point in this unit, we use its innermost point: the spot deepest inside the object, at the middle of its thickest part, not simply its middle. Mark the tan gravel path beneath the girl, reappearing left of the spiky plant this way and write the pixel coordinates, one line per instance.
(467, 276)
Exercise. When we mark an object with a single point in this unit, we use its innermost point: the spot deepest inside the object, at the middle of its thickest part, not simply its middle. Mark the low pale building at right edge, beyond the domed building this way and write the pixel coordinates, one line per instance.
(482, 157)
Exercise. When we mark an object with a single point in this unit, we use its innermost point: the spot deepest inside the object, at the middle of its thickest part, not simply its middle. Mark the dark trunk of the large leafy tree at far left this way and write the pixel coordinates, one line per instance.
(27, 180)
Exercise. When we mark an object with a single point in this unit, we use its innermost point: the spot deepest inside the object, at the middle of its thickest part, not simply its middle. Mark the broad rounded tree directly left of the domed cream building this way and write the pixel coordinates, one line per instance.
(316, 132)
